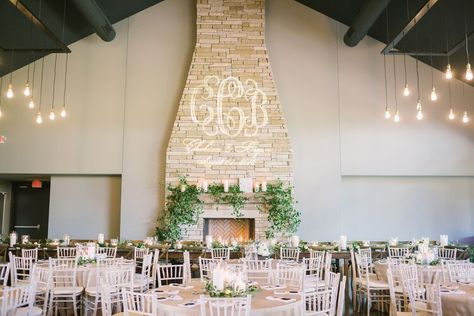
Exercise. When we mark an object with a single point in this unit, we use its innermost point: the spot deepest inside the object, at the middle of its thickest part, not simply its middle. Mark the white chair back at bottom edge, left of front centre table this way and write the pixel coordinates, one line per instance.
(138, 303)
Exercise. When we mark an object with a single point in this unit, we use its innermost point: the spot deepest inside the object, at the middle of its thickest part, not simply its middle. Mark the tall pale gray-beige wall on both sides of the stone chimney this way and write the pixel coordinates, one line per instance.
(355, 173)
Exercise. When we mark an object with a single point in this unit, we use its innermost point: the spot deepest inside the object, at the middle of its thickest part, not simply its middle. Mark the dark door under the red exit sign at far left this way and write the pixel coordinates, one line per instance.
(30, 210)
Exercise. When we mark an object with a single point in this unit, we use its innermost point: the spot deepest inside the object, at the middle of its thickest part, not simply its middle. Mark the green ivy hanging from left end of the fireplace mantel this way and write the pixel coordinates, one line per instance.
(183, 207)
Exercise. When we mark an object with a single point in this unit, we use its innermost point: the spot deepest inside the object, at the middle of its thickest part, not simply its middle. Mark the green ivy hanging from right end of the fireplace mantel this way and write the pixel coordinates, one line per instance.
(278, 202)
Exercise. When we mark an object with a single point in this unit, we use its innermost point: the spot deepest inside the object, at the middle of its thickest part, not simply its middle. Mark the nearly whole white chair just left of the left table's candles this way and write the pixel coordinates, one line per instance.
(64, 288)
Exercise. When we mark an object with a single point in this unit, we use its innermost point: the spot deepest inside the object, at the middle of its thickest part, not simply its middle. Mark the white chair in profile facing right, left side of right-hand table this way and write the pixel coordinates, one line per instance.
(375, 291)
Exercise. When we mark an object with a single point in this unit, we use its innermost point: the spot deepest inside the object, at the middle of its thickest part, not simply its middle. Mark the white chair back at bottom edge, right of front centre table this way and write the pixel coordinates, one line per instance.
(319, 302)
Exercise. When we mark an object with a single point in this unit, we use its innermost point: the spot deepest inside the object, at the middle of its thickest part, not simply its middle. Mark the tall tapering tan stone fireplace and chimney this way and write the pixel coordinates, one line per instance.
(229, 124)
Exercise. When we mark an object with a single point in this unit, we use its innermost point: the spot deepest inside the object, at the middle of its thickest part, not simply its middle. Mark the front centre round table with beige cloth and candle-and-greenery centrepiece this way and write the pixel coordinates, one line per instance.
(261, 306)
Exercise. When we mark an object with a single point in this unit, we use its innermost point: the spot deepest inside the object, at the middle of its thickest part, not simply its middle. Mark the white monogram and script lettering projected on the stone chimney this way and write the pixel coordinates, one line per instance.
(230, 113)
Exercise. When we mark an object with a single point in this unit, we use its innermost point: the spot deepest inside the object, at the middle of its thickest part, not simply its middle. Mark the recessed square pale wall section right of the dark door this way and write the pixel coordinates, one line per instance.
(84, 206)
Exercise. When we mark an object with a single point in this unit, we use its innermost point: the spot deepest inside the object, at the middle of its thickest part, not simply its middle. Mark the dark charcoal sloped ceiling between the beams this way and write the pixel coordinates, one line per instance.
(443, 25)
